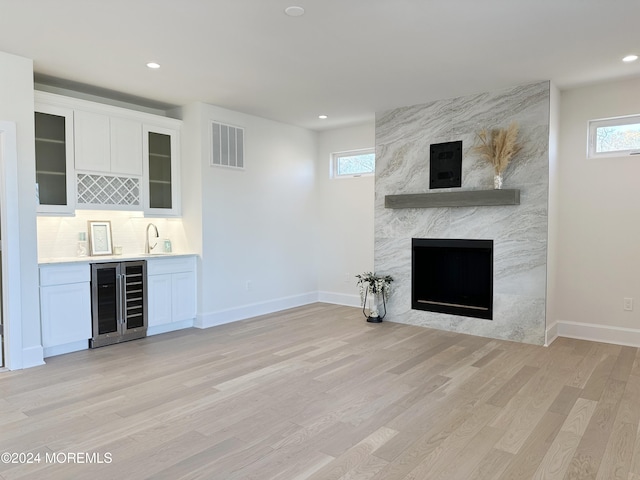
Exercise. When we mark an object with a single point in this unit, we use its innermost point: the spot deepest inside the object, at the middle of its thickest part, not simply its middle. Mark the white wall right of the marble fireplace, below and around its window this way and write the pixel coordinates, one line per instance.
(598, 256)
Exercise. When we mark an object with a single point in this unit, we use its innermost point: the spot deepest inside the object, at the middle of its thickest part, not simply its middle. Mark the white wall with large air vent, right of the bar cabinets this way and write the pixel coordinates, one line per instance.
(259, 228)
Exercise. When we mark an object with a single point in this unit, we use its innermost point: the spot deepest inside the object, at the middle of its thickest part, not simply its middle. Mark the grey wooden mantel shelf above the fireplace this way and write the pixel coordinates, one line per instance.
(466, 198)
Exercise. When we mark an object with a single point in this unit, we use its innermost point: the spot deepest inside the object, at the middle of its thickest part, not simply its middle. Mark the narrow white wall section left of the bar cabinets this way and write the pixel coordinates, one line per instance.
(16, 105)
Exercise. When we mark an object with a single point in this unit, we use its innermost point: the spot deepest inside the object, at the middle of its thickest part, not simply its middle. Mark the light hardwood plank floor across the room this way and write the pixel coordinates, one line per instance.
(317, 393)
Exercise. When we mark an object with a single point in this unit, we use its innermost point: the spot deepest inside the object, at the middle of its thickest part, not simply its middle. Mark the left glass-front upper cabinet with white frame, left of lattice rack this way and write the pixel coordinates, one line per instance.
(55, 184)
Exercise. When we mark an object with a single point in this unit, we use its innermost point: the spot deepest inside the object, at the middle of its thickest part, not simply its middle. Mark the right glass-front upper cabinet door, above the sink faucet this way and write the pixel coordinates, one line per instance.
(161, 175)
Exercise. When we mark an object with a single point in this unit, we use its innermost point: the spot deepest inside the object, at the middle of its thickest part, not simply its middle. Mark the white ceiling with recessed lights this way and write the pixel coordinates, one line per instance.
(344, 58)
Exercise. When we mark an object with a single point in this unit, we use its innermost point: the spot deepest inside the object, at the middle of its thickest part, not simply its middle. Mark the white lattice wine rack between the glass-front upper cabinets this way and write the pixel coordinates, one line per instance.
(108, 190)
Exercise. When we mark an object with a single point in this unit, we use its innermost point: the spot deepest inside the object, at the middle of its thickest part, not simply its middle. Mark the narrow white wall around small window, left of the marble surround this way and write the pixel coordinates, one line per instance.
(345, 217)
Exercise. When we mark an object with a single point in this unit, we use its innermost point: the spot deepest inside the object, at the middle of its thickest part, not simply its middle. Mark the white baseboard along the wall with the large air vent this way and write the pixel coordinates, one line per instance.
(221, 317)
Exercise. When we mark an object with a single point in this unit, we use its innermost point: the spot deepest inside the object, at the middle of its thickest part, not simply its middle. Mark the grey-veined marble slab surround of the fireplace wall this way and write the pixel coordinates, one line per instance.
(519, 231)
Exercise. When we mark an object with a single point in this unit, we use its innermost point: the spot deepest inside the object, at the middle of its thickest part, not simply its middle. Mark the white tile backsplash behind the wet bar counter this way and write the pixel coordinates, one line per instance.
(58, 236)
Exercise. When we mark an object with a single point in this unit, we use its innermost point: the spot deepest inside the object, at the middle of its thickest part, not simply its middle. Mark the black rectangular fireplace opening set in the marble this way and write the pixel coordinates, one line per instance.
(452, 276)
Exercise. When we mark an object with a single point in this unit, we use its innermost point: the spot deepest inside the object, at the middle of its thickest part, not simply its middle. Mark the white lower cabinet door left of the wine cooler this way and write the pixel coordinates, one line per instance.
(65, 313)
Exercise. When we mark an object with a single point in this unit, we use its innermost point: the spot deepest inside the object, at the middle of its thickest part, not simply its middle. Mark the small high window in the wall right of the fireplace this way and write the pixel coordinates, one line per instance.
(614, 137)
